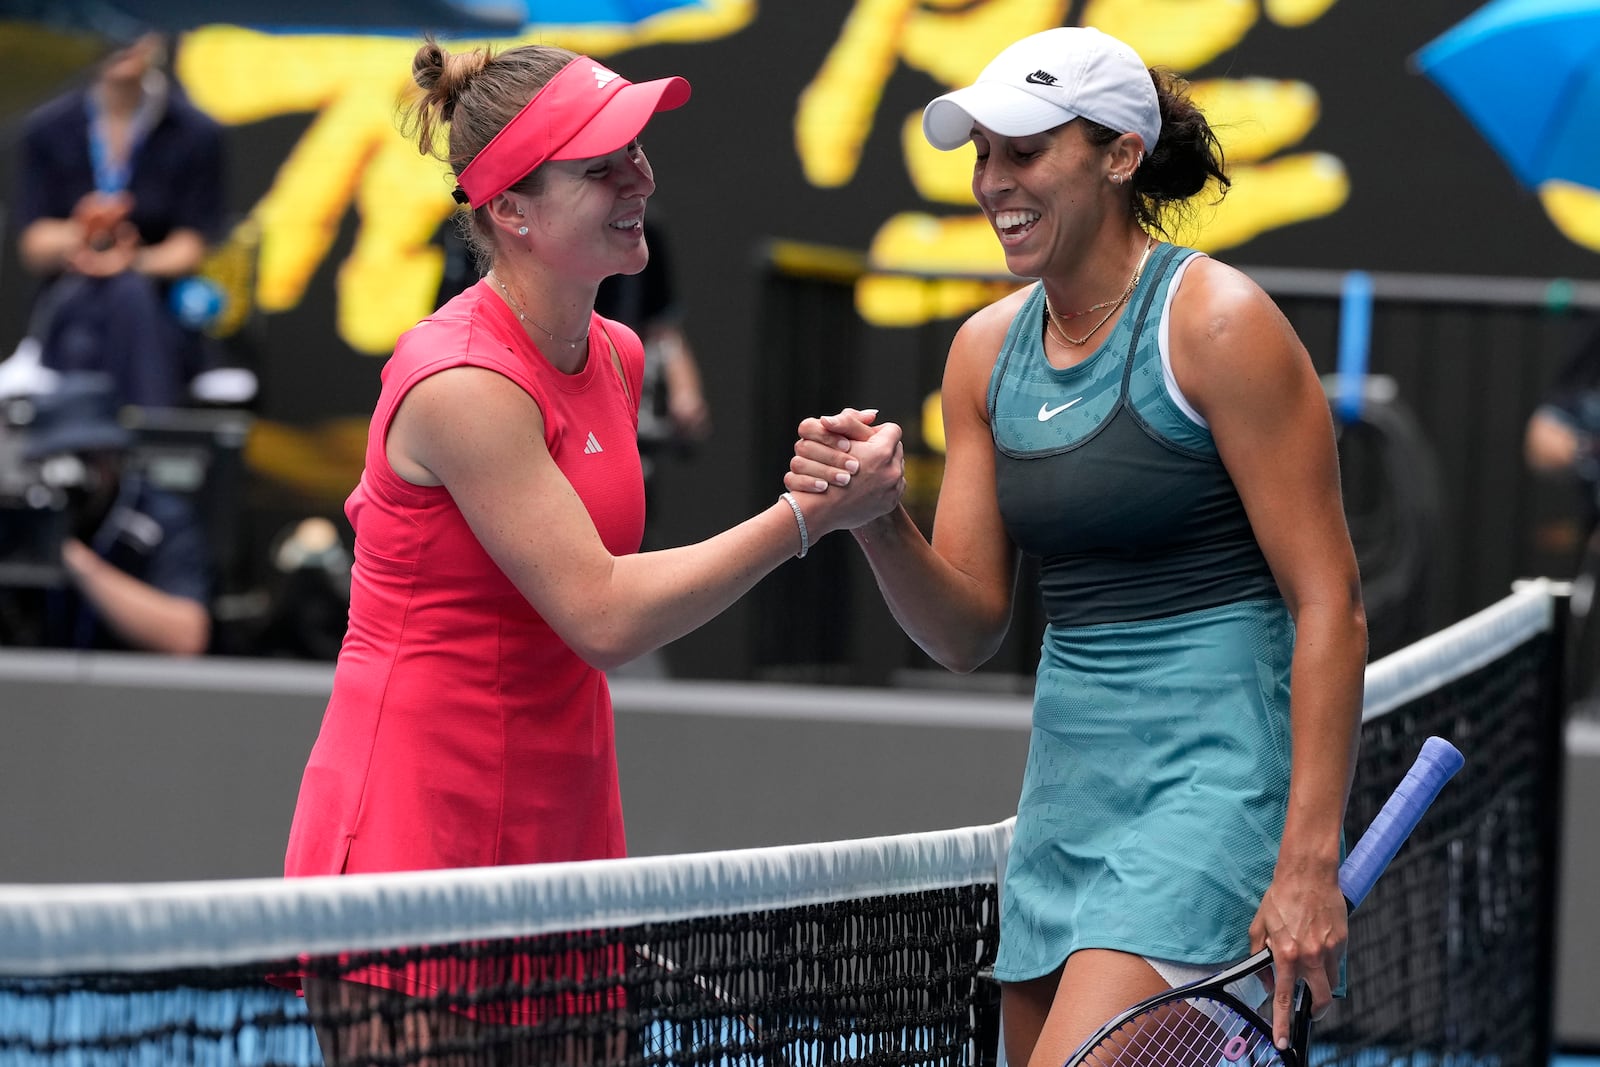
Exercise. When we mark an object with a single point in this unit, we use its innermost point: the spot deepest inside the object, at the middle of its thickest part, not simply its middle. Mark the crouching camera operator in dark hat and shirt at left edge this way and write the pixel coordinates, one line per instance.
(132, 569)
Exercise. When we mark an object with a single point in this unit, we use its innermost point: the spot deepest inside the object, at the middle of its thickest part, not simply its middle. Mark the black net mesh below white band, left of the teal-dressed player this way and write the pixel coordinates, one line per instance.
(894, 980)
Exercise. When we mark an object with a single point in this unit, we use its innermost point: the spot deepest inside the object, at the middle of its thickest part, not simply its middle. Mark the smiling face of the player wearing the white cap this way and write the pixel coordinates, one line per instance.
(1047, 196)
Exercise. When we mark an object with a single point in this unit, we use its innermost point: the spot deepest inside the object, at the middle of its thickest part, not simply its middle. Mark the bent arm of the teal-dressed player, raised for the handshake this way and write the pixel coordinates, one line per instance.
(954, 596)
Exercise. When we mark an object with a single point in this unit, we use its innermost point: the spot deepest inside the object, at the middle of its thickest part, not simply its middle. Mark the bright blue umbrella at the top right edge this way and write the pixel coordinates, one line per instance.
(1527, 73)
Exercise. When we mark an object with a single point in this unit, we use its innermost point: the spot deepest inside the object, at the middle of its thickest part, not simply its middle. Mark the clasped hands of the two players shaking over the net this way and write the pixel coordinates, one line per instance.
(852, 463)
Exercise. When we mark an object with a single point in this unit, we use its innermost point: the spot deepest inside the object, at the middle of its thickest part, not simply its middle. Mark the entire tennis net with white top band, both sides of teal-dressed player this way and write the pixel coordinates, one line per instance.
(857, 953)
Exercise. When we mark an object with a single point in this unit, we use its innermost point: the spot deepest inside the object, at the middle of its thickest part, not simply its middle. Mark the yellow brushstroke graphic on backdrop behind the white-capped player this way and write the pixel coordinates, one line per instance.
(1258, 121)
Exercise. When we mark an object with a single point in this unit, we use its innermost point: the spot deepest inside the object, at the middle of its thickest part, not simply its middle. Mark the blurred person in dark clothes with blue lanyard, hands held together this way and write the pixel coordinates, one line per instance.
(119, 196)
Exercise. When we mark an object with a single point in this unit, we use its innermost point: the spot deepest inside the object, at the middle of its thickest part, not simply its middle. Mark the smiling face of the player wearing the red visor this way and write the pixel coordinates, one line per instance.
(588, 215)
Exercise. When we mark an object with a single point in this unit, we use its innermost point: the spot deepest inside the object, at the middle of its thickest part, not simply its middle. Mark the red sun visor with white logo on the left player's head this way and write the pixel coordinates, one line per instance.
(585, 111)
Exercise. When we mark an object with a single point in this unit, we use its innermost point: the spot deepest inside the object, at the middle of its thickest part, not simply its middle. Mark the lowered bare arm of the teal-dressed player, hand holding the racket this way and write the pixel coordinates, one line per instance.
(1241, 366)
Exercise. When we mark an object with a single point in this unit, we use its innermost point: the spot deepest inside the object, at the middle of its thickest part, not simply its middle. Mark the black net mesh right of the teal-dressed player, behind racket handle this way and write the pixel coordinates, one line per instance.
(1450, 954)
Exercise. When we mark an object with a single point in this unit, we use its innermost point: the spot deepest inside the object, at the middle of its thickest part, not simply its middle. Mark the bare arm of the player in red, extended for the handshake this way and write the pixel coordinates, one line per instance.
(482, 438)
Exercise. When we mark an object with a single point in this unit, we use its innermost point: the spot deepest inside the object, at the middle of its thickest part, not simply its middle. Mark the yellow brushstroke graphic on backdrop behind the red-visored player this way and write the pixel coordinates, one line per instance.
(353, 156)
